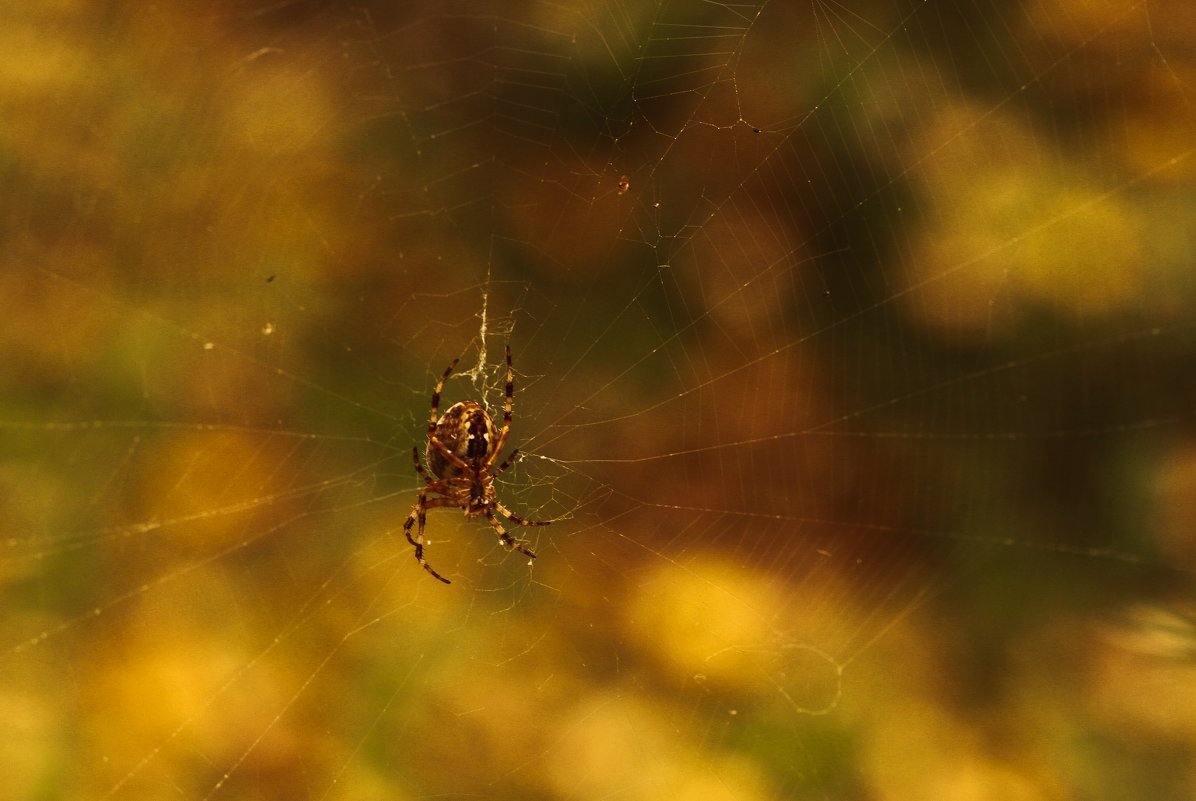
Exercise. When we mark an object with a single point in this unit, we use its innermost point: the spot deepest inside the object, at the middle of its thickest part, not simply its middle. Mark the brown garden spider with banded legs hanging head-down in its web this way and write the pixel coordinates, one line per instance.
(462, 450)
